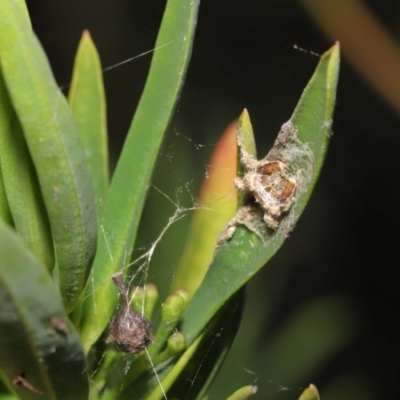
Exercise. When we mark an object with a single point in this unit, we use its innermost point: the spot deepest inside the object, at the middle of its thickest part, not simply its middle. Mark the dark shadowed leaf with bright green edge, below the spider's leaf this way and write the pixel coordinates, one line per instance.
(195, 370)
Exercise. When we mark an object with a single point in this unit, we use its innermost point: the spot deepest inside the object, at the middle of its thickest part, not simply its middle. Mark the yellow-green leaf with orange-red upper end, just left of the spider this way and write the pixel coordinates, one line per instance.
(217, 205)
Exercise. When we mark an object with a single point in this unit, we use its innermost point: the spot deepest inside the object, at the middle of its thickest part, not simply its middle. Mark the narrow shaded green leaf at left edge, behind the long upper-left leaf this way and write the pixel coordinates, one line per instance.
(21, 184)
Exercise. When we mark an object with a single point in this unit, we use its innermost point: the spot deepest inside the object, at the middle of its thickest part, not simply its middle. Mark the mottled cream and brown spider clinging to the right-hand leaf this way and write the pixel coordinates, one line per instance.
(271, 187)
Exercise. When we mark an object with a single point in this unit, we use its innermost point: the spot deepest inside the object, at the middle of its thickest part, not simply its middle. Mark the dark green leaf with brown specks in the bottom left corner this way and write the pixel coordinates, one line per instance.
(40, 352)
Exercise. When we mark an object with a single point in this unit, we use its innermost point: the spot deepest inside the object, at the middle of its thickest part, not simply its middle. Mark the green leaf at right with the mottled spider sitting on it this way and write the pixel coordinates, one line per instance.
(241, 257)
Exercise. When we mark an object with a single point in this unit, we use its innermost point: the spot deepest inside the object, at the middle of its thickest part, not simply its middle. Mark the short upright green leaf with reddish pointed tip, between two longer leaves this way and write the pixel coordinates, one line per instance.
(88, 103)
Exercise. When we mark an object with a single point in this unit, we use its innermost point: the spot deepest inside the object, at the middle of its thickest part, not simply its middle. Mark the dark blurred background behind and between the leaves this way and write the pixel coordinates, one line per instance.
(325, 309)
